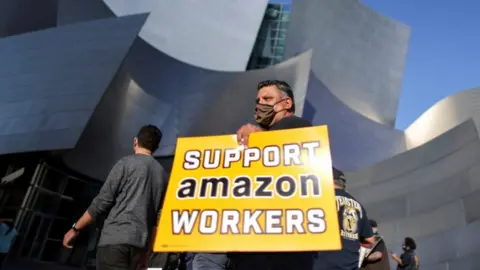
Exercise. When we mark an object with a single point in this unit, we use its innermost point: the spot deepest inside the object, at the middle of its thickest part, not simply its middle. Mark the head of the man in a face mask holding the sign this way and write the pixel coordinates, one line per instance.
(274, 102)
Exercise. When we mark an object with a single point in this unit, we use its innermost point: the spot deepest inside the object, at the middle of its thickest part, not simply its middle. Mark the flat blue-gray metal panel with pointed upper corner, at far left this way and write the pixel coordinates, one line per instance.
(52, 80)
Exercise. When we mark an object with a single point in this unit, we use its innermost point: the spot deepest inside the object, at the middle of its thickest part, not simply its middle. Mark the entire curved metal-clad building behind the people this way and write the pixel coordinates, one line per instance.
(77, 82)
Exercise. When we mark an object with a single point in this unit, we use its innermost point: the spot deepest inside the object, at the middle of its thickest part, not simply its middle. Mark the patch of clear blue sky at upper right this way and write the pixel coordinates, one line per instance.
(444, 51)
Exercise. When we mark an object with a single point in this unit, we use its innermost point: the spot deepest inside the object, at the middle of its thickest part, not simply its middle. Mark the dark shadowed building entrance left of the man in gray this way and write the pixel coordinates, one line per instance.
(52, 200)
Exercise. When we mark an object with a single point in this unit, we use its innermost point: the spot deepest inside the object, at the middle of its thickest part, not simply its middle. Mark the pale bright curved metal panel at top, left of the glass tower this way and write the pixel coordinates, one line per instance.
(214, 34)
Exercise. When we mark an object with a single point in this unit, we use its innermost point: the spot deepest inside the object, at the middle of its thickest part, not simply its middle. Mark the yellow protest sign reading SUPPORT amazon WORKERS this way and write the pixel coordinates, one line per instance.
(277, 195)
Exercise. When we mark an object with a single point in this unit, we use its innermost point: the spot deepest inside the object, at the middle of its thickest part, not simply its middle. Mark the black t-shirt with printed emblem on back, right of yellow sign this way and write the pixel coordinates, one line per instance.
(354, 225)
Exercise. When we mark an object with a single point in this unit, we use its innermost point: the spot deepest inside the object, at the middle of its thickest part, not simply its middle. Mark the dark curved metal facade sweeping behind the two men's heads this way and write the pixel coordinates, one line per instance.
(148, 89)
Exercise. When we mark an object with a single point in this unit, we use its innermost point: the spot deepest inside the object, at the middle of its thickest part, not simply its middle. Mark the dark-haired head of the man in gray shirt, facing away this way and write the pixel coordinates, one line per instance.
(147, 140)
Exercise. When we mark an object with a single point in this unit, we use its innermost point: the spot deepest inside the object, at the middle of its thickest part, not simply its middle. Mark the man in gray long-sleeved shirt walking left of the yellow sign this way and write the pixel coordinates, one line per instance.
(130, 200)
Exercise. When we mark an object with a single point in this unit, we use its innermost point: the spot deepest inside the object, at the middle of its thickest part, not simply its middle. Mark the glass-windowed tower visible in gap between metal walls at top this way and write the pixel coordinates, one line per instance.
(270, 44)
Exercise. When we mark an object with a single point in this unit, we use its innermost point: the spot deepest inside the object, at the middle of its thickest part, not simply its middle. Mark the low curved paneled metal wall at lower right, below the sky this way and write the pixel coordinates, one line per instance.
(429, 193)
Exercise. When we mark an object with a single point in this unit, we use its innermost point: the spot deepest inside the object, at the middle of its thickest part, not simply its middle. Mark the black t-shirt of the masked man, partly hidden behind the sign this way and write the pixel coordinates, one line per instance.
(277, 260)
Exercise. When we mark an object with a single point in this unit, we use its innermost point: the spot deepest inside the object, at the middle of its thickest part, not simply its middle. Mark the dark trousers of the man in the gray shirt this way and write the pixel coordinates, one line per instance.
(118, 257)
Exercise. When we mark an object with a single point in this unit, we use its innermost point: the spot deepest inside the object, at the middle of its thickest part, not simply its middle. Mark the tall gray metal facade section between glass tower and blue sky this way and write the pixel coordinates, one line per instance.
(358, 54)
